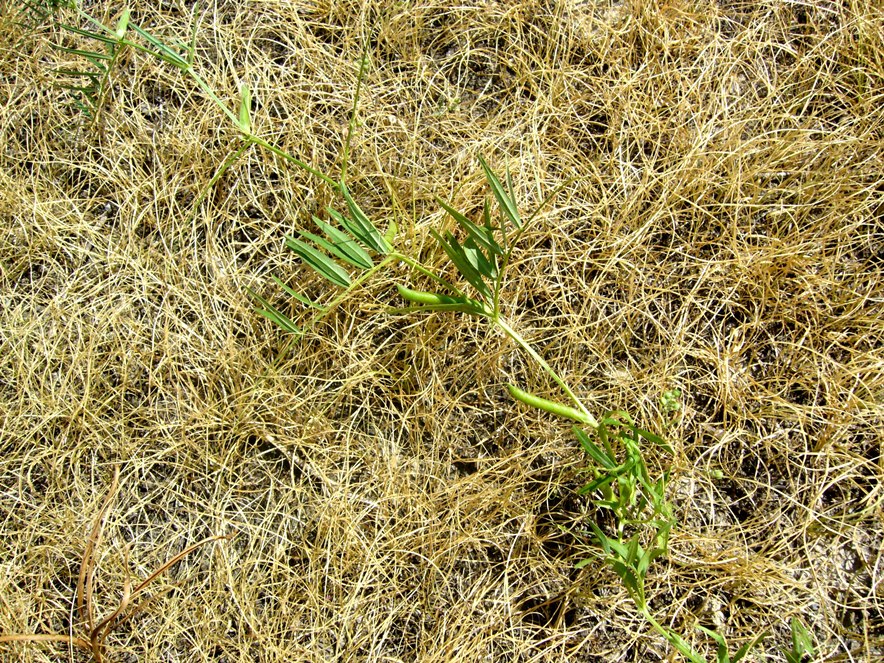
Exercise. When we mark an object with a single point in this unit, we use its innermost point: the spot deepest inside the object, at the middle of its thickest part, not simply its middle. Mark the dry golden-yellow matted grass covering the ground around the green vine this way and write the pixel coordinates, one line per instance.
(391, 502)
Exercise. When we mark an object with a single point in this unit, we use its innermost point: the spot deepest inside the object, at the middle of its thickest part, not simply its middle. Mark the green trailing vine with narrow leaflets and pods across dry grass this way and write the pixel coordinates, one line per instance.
(347, 248)
